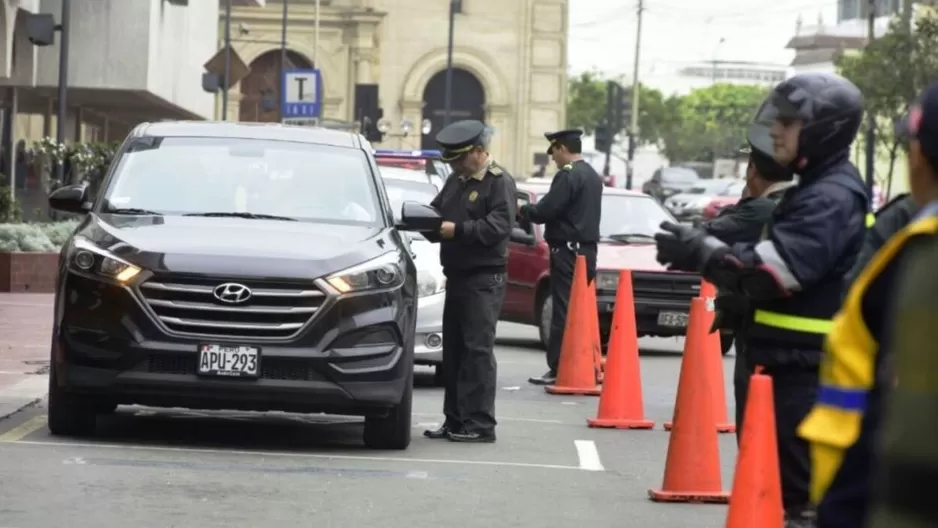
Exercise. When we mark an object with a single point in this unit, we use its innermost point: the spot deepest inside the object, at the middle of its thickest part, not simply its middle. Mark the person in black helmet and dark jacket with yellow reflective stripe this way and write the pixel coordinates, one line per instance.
(793, 277)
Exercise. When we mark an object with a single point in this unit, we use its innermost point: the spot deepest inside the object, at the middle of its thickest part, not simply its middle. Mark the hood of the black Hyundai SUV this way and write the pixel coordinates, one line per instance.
(236, 246)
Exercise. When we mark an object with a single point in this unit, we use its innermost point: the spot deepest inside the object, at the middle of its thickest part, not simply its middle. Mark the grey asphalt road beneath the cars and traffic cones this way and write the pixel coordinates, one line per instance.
(177, 468)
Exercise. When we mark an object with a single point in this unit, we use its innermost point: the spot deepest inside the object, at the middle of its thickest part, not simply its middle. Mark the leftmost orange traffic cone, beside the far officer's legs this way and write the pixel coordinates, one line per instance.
(576, 374)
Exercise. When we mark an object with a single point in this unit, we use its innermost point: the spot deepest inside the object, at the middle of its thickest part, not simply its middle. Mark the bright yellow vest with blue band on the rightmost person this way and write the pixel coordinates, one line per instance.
(848, 370)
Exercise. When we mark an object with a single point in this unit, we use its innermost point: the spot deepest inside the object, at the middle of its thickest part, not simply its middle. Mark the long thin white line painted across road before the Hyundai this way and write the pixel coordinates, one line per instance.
(490, 463)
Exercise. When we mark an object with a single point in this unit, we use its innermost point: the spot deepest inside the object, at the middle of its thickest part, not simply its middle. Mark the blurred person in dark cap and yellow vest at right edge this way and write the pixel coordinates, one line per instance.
(857, 371)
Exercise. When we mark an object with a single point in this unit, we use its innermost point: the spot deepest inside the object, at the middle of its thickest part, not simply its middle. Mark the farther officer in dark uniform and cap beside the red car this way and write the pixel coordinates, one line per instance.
(570, 211)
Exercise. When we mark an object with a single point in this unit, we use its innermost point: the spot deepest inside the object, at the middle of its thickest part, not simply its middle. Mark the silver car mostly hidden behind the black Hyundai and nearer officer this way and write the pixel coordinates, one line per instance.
(404, 185)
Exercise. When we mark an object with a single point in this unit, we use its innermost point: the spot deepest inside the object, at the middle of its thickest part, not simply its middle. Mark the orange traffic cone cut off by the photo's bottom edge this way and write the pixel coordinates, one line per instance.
(757, 485)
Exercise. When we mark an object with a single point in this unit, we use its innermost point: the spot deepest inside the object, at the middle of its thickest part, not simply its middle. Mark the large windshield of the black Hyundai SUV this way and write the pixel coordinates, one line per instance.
(252, 178)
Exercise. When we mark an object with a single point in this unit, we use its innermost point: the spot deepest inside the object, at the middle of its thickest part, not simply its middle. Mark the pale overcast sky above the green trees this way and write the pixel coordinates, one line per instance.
(677, 33)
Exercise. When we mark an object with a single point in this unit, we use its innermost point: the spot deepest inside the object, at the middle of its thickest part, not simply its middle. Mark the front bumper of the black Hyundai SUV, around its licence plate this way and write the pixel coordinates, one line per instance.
(352, 357)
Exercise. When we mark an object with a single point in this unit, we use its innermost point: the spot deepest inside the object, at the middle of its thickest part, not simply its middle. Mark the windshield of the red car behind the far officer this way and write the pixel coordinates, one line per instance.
(627, 215)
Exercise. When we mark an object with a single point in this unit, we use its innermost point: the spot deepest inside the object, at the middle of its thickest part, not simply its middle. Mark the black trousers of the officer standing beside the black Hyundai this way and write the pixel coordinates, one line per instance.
(470, 313)
